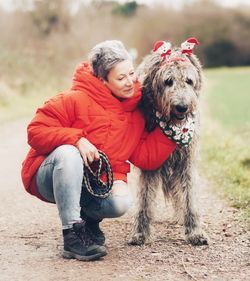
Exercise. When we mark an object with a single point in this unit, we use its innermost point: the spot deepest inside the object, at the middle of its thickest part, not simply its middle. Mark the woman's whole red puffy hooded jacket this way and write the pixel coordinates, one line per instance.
(90, 110)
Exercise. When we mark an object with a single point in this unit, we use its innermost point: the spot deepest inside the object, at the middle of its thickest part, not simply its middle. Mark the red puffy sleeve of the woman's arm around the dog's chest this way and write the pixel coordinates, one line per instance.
(153, 150)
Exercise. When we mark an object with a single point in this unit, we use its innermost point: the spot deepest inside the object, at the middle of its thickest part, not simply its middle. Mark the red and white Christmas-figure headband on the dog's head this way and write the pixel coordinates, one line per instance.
(163, 48)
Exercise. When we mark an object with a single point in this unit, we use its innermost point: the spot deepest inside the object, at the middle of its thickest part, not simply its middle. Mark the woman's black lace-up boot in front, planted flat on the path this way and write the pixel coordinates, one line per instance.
(79, 244)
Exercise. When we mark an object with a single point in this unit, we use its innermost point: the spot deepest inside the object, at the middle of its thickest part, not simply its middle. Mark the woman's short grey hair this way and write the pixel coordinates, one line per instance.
(105, 55)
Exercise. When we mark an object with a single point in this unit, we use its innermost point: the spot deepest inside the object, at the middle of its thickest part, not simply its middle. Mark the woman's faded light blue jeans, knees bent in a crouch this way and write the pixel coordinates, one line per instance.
(59, 180)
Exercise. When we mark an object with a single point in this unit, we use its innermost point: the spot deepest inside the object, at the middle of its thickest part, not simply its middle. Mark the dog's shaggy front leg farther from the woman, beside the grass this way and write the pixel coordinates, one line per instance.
(193, 232)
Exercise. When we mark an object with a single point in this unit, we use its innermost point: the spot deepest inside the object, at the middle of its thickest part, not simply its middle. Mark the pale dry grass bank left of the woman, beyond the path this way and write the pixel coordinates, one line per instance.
(28, 80)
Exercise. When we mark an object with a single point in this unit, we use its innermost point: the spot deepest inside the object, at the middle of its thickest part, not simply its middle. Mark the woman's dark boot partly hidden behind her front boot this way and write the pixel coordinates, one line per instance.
(93, 226)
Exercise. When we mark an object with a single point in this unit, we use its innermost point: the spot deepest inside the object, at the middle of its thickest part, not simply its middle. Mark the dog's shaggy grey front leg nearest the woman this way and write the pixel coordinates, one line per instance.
(145, 196)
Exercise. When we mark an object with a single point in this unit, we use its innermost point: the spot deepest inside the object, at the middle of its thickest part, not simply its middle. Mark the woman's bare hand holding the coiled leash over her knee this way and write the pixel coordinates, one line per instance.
(88, 151)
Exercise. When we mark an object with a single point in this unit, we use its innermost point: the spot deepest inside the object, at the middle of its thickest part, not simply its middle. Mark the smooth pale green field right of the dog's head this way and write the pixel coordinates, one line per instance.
(229, 97)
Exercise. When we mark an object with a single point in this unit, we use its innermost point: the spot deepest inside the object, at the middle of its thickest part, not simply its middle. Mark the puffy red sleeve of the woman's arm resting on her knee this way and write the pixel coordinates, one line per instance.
(51, 126)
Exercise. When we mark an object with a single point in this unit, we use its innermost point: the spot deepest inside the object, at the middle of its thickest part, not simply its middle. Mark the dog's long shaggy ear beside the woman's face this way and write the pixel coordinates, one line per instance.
(147, 72)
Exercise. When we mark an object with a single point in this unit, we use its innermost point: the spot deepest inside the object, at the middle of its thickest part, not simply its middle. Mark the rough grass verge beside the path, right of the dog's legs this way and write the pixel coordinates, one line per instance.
(226, 164)
